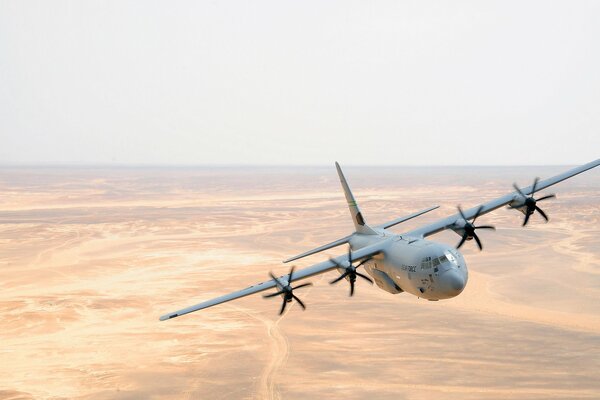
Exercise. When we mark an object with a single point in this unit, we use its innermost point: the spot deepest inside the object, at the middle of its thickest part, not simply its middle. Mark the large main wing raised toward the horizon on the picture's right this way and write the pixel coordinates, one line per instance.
(514, 197)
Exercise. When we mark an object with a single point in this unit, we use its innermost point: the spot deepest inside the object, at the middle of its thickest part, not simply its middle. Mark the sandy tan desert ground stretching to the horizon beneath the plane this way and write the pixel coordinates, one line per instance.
(91, 257)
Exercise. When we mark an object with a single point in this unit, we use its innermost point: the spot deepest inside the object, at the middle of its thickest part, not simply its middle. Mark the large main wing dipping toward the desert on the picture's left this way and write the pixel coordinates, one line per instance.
(316, 269)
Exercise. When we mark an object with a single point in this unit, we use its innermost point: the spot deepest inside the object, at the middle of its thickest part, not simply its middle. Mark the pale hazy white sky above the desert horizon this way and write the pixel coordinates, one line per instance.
(299, 82)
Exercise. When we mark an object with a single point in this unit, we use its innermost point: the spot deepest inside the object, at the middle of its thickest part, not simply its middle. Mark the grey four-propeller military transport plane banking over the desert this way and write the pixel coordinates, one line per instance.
(404, 262)
